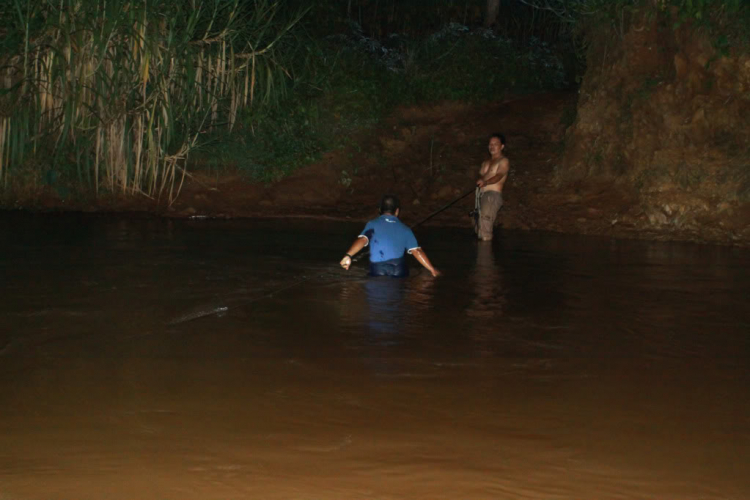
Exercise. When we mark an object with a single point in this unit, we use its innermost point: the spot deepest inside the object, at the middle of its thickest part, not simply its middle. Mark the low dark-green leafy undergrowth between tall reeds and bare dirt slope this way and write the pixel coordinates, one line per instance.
(345, 84)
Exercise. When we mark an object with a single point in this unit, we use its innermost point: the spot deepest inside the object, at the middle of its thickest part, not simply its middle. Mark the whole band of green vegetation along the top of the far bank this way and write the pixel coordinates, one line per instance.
(118, 95)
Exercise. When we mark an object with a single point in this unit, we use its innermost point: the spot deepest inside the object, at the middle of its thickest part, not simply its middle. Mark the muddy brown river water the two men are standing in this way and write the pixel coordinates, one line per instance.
(540, 366)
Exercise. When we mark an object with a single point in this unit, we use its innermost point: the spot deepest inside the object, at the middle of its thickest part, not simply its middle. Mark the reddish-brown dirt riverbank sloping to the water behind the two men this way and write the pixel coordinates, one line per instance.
(429, 156)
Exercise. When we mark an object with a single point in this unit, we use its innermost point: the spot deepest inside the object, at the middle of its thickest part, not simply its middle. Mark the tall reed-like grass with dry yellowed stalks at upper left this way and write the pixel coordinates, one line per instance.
(123, 89)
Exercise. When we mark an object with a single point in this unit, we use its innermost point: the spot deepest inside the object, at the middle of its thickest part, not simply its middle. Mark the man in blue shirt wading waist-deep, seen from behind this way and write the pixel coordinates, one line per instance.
(389, 240)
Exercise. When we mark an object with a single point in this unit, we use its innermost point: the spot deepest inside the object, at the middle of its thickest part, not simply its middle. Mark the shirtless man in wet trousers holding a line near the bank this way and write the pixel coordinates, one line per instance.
(492, 177)
